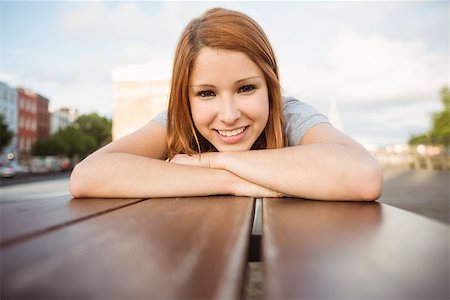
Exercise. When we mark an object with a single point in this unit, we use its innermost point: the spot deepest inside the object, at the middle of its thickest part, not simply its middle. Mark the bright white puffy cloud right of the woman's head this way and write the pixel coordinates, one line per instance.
(370, 69)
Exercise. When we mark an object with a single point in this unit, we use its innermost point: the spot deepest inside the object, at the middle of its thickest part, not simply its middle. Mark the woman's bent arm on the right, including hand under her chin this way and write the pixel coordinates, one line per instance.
(326, 165)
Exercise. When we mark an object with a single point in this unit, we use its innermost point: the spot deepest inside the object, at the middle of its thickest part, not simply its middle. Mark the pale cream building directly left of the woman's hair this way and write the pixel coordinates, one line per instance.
(140, 92)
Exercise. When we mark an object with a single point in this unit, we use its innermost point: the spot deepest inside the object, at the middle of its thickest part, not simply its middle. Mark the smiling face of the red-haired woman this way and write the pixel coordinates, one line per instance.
(229, 99)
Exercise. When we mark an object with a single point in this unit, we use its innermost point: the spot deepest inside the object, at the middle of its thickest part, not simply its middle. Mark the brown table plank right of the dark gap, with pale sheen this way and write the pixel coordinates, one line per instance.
(351, 250)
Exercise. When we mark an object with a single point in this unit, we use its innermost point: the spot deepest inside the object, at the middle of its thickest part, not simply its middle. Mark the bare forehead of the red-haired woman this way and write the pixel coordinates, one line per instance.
(219, 65)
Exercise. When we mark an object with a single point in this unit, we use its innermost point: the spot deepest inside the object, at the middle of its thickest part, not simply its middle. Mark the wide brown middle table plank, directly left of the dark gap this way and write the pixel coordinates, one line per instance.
(155, 249)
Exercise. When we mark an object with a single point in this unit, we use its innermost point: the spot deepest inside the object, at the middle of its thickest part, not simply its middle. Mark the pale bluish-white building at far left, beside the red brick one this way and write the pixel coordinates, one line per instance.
(8, 108)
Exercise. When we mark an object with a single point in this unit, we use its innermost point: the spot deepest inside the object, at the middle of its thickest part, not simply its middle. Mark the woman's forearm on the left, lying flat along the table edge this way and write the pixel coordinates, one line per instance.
(115, 175)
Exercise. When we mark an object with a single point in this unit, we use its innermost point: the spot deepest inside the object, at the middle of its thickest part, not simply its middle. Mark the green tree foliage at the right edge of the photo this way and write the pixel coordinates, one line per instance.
(439, 134)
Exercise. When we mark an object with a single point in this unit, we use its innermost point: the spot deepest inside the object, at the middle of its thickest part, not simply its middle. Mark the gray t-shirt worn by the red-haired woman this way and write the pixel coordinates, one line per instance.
(298, 118)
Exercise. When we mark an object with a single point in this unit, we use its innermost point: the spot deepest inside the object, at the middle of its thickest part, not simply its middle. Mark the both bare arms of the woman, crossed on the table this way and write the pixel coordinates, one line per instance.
(326, 165)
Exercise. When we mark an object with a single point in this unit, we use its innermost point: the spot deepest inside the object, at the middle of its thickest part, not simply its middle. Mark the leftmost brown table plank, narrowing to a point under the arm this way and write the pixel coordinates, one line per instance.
(24, 219)
